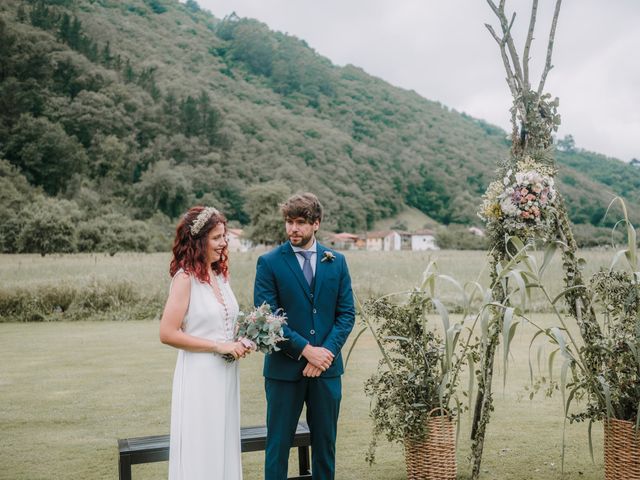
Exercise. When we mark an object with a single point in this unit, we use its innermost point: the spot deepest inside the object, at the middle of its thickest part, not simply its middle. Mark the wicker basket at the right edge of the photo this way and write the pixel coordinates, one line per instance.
(621, 450)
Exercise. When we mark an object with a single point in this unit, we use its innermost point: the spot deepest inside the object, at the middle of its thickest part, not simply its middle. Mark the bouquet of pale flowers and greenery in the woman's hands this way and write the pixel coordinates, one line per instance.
(260, 329)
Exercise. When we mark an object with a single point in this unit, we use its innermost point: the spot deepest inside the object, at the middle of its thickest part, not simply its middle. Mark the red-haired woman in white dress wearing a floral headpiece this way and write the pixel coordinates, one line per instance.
(199, 319)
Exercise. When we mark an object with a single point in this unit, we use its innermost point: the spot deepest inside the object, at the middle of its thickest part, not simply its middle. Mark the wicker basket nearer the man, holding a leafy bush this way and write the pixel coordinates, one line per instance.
(433, 457)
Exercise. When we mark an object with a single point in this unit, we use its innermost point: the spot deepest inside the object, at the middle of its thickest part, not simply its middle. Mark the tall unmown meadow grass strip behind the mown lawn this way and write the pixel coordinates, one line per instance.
(134, 285)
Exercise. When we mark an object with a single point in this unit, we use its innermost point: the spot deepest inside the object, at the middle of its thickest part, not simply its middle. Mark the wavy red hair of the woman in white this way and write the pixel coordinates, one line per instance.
(189, 251)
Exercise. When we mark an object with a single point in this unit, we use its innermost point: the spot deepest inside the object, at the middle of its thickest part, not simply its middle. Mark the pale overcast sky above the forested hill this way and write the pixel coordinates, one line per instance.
(442, 50)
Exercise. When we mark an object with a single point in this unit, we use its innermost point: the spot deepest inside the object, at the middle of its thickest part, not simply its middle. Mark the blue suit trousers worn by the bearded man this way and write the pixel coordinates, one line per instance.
(285, 400)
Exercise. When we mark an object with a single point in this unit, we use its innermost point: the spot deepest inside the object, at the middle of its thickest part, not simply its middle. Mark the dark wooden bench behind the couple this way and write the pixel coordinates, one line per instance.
(253, 439)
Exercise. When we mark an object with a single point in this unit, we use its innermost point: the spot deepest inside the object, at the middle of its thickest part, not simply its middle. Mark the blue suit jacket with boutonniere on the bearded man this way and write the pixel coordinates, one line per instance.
(322, 317)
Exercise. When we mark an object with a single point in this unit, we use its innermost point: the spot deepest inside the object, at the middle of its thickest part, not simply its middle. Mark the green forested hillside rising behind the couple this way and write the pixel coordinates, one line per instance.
(116, 115)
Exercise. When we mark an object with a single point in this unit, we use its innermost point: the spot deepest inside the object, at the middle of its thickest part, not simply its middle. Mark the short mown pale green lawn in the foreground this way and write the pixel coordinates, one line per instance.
(68, 390)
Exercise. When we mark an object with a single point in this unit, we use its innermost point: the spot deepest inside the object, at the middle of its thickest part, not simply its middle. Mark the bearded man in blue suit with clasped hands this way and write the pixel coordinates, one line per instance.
(312, 285)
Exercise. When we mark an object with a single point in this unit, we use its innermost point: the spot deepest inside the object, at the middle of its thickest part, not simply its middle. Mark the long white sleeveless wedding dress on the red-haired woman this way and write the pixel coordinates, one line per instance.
(205, 405)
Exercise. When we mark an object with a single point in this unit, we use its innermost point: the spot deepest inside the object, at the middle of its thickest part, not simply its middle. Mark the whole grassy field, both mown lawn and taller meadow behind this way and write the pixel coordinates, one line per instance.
(74, 382)
